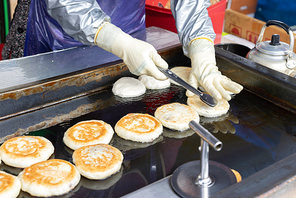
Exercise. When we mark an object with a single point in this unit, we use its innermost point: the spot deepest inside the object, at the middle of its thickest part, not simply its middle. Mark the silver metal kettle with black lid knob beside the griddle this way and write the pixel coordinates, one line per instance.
(275, 54)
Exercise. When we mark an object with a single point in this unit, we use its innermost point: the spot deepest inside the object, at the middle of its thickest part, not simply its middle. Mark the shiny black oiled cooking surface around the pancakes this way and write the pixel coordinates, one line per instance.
(264, 134)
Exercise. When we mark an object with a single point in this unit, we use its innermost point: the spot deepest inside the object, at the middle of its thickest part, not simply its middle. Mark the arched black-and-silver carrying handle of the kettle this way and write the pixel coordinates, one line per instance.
(281, 25)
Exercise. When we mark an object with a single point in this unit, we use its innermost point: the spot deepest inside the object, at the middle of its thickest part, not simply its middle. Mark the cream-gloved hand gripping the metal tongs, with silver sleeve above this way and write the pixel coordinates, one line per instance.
(140, 57)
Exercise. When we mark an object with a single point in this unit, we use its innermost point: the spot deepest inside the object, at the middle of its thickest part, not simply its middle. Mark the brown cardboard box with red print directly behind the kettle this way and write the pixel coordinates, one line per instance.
(249, 28)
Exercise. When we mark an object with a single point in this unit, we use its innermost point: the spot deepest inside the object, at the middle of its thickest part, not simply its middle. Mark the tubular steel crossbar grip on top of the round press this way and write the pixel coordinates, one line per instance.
(206, 135)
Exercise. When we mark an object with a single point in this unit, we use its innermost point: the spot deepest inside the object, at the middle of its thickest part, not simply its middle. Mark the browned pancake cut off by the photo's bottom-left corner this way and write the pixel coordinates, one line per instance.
(10, 185)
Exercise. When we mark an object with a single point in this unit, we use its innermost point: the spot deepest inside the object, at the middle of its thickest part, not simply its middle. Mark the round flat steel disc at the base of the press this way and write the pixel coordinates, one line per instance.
(184, 178)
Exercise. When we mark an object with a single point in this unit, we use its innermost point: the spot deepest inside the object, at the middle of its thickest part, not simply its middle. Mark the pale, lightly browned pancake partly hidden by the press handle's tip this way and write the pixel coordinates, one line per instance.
(176, 116)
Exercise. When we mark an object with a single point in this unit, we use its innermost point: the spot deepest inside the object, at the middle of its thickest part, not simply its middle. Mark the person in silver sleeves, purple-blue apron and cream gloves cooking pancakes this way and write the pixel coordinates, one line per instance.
(57, 24)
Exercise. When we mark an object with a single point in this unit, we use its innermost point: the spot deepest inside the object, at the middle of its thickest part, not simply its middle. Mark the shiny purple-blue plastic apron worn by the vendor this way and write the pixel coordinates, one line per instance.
(44, 34)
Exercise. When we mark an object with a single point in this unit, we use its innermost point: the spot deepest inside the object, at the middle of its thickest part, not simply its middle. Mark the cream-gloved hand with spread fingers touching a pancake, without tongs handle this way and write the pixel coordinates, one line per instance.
(205, 73)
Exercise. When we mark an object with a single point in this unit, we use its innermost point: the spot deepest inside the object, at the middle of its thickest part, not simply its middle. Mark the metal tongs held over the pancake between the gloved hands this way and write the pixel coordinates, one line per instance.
(206, 98)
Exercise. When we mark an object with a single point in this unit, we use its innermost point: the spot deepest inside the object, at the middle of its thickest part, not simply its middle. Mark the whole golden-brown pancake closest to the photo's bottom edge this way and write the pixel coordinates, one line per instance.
(49, 178)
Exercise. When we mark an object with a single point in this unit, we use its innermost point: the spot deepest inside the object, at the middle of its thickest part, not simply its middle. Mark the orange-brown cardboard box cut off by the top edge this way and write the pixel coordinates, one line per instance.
(245, 7)
